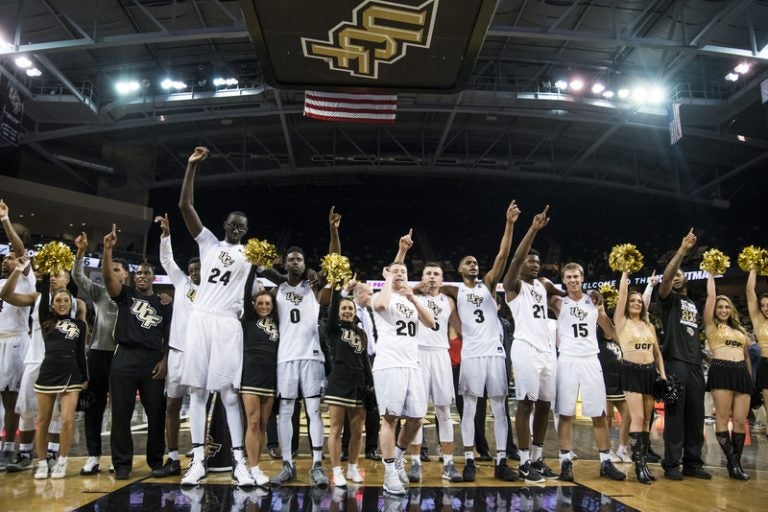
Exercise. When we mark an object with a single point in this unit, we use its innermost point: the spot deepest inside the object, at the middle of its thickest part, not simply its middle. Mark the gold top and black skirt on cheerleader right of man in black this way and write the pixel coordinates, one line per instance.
(724, 373)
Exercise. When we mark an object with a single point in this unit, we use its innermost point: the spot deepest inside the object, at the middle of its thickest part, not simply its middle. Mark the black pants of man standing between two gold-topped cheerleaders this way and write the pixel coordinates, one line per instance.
(684, 420)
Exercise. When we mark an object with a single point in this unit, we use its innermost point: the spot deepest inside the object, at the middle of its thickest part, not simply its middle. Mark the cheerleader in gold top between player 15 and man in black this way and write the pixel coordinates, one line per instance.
(641, 360)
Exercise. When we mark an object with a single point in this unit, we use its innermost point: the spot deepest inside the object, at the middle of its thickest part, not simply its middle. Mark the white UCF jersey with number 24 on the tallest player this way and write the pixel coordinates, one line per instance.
(223, 271)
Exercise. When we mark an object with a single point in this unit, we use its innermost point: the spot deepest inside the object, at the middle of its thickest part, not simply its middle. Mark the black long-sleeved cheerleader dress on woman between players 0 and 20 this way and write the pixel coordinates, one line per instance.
(351, 368)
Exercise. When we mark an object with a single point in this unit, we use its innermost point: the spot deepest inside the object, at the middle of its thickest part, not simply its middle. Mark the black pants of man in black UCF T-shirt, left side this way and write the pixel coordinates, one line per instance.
(132, 372)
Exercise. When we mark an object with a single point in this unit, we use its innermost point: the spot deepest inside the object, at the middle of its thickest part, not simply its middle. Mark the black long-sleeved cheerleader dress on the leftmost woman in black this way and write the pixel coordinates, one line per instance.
(64, 366)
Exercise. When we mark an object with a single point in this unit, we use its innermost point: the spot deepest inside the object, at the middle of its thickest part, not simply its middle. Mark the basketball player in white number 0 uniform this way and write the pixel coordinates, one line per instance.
(300, 357)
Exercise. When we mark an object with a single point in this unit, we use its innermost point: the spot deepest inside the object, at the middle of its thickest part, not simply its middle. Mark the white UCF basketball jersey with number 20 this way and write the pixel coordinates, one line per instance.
(398, 326)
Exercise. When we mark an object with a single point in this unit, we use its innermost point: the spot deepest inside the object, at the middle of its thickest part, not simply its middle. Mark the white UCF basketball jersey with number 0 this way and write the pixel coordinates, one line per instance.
(298, 310)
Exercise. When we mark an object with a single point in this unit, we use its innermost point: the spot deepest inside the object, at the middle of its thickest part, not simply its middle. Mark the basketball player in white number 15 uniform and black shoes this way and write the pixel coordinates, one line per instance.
(579, 371)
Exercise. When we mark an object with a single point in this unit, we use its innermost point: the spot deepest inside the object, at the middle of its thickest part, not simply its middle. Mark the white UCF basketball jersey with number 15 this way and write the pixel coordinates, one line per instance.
(577, 327)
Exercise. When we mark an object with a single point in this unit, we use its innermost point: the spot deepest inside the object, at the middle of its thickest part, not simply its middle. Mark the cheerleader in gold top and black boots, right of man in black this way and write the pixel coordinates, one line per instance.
(730, 380)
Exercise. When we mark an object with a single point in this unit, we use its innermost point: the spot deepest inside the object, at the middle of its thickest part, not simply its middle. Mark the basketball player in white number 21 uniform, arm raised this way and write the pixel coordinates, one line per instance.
(534, 358)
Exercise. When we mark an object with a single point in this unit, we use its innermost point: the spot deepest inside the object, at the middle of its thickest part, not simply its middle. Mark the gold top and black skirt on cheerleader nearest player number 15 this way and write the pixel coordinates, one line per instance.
(637, 377)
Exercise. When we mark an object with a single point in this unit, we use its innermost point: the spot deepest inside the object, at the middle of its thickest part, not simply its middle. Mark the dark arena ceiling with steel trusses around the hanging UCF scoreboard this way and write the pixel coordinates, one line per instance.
(511, 122)
